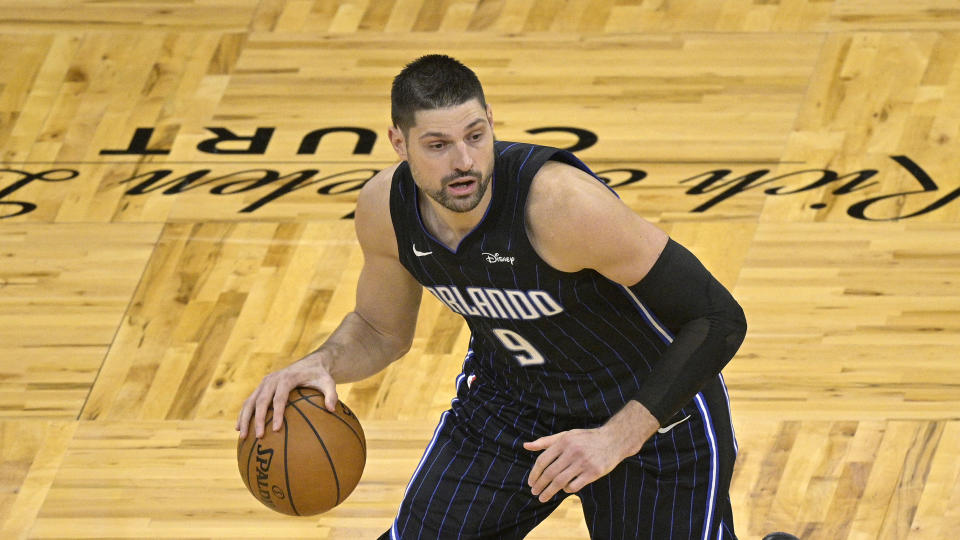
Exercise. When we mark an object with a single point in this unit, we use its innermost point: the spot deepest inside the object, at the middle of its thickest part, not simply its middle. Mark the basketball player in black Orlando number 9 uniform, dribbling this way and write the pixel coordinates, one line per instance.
(597, 341)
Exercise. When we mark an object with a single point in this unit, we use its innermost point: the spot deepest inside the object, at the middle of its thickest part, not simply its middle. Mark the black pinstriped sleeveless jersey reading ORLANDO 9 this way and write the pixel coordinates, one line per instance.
(547, 347)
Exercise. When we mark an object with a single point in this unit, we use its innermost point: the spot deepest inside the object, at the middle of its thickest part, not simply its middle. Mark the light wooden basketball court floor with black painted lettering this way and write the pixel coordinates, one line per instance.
(175, 198)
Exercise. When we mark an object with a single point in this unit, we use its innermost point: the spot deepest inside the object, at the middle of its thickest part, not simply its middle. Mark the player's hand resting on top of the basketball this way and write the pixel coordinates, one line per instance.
(275, 388)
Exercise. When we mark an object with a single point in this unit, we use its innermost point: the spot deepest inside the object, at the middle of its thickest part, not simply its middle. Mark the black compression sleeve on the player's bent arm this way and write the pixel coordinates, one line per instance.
(708, 326)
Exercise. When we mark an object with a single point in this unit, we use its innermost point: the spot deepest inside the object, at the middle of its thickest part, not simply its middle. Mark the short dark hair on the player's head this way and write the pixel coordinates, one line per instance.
(435, 81)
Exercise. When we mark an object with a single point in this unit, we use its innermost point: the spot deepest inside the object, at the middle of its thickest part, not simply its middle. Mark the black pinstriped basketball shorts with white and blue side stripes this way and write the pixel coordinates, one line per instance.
(676, 487)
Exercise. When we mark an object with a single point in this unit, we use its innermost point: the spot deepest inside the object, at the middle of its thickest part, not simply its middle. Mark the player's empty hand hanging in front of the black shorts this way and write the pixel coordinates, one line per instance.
(572, 459)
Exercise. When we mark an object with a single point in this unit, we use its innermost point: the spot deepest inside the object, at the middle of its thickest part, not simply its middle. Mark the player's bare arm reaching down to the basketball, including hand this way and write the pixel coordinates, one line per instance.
(378, 331)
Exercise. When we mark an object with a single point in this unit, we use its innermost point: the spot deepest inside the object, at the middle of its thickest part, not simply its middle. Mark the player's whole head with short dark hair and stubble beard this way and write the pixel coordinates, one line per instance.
(443, 128)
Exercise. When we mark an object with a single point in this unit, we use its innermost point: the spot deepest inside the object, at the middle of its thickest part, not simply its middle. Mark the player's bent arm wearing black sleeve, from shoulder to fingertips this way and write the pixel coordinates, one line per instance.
(575, 222)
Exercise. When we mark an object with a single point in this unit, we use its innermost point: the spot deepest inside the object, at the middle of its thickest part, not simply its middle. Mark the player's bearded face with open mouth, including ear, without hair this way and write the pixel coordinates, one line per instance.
(450, 152)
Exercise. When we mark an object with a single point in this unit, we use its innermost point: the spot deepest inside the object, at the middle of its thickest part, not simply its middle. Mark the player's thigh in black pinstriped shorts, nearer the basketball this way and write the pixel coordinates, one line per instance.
(463, 489)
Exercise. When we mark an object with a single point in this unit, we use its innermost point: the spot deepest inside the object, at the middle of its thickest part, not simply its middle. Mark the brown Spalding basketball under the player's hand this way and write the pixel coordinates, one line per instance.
(311, 464)
